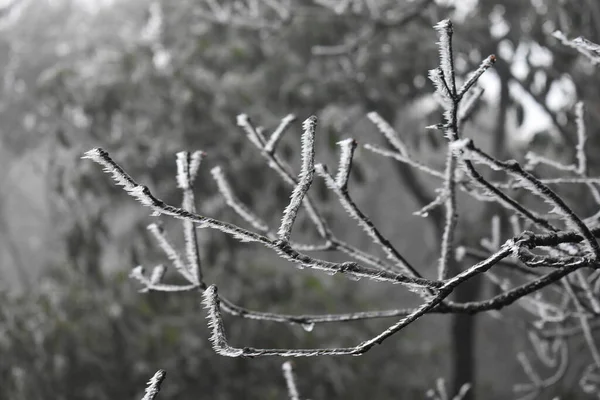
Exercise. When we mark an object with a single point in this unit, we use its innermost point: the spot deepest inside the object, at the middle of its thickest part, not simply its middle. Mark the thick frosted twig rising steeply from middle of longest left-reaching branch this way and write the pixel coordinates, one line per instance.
(305, 178)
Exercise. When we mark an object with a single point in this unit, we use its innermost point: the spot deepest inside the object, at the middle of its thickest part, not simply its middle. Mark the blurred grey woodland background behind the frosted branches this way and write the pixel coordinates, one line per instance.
(145, 79)
